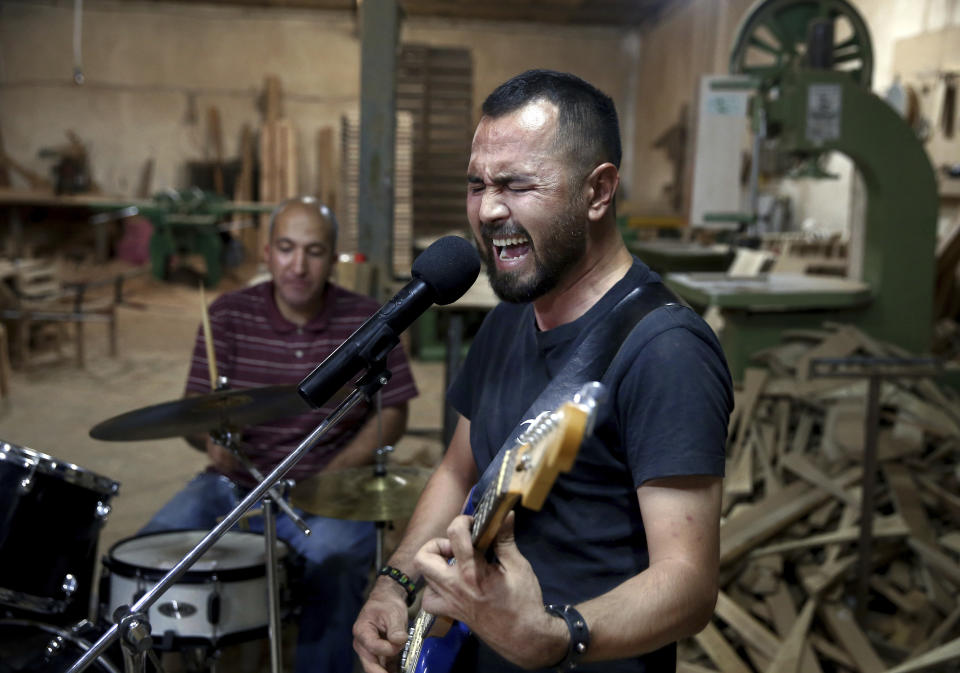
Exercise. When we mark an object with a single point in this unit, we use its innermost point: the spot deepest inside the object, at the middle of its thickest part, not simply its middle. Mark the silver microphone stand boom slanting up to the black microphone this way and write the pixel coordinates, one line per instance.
(132, 625)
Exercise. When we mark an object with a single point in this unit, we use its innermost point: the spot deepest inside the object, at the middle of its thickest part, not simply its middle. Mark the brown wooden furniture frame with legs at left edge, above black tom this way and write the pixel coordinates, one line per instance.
(39, 307)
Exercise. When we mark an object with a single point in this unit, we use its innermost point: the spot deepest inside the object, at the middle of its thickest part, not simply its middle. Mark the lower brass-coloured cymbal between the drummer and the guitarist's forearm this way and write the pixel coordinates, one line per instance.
(358, 494)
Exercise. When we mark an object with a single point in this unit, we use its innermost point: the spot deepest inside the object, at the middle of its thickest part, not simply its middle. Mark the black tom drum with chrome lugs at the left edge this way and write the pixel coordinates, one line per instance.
(51, 513)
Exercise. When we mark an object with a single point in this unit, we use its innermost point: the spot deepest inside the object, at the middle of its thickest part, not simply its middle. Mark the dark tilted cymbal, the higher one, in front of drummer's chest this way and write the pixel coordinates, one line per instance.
(200, 414)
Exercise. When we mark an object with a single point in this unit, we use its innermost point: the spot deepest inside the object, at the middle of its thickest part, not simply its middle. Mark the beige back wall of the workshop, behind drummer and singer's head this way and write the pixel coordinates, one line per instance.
(153, 69)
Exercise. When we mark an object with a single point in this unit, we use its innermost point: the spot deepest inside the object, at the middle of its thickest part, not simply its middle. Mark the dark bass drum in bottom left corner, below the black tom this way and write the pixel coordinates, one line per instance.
(33, 647)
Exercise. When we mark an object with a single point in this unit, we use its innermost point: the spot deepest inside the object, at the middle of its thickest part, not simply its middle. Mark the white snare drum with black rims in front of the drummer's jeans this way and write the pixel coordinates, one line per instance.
(221, 600)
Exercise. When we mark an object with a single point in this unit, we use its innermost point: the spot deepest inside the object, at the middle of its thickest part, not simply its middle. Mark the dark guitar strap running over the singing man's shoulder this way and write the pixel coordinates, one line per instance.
(593, 356)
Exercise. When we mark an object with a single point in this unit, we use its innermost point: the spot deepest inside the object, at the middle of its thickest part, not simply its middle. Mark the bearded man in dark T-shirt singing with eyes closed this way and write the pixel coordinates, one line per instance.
(622, 559)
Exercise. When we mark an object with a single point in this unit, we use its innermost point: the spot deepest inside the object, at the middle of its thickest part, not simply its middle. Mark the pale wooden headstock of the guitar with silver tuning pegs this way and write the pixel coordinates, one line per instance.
(549, 446)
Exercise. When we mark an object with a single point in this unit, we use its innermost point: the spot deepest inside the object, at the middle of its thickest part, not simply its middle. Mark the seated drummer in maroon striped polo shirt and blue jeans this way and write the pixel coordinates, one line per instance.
(274, 333)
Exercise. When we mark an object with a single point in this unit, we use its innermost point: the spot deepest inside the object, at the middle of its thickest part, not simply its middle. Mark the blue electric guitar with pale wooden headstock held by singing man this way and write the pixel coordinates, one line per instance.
(526, 474)
